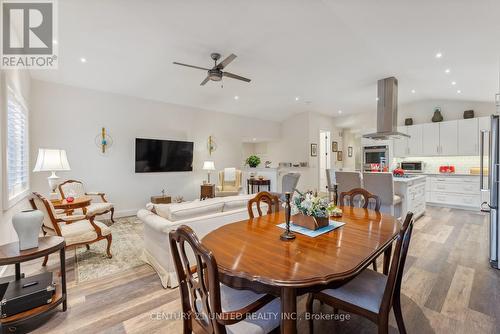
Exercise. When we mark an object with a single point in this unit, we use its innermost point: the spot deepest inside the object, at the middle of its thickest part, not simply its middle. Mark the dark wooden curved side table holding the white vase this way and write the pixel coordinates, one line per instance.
(10, 254)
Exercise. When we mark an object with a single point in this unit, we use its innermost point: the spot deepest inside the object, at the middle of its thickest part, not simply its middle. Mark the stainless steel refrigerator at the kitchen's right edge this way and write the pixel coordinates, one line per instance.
(491, 138)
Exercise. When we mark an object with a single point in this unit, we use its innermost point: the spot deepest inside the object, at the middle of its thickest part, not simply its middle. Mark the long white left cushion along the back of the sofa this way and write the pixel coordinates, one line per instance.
(193, 209)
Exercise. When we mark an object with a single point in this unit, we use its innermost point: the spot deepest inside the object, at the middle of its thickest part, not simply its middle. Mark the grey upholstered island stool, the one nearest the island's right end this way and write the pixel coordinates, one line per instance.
(382, 184)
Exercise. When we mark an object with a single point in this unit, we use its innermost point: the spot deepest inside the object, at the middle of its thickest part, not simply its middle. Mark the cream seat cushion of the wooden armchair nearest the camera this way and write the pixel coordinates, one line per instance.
(80, 231)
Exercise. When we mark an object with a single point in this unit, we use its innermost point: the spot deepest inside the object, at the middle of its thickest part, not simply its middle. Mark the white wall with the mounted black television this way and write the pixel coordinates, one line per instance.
(70, 118)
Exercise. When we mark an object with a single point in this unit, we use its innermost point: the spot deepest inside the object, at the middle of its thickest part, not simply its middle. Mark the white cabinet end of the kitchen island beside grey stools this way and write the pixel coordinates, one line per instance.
(411, 188)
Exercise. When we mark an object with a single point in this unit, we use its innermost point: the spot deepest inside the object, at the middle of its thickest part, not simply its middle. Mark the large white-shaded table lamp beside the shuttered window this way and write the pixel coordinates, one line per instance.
(50, 160)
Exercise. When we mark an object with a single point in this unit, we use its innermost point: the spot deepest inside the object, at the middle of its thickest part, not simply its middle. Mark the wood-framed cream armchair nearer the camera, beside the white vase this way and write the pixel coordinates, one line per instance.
(77, 230)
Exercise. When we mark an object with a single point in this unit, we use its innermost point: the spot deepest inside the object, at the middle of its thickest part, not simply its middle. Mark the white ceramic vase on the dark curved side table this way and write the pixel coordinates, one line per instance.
(27, 225)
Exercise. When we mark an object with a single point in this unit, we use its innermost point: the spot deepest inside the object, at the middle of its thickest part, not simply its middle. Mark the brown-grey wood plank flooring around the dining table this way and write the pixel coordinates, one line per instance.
(448, 287)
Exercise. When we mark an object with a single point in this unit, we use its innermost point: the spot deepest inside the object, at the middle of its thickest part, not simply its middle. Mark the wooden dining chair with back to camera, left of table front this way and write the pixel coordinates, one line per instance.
(209, 306)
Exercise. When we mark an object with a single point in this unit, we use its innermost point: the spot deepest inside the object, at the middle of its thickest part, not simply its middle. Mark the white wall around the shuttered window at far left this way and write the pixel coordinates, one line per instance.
(20, 81)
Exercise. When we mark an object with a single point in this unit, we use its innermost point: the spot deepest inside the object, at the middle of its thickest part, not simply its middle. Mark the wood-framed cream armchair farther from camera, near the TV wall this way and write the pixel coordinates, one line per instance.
(74, 188)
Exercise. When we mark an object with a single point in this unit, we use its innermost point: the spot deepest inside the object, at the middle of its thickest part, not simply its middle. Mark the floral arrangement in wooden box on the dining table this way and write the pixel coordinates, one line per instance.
(310, 211)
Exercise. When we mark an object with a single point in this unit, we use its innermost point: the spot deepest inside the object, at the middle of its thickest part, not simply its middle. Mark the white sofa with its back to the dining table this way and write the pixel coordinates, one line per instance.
(202, 216)
